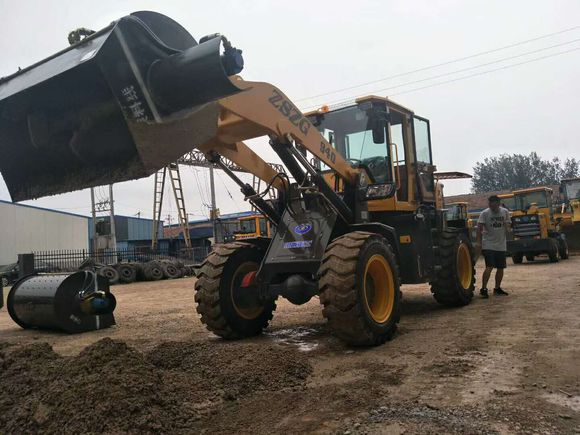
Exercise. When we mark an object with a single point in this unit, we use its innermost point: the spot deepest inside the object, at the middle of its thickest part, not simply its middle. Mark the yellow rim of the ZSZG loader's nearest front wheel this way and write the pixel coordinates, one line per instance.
(379, 288)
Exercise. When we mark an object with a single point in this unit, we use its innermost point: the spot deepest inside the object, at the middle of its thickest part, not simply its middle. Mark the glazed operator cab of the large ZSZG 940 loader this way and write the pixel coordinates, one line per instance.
(387, 140)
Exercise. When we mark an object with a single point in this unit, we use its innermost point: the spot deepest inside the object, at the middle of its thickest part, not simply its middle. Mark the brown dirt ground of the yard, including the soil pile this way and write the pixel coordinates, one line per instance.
(503, 365)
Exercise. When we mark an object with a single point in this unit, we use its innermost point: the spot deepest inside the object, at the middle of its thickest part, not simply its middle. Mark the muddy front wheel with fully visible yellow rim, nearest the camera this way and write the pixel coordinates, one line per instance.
(344, 293)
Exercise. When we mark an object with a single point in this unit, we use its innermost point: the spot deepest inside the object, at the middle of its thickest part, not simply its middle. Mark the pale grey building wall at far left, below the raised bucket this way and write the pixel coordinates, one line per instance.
(26, 229)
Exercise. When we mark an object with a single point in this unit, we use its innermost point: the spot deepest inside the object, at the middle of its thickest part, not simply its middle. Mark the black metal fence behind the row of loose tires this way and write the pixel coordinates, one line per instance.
(70, 259)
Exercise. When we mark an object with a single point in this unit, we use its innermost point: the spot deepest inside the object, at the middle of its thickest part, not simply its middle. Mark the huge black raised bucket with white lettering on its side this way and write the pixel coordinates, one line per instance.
(119, 105)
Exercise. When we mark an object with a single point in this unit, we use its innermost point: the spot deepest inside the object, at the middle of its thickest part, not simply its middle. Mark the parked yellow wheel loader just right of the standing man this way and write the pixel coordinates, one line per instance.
(534, 229)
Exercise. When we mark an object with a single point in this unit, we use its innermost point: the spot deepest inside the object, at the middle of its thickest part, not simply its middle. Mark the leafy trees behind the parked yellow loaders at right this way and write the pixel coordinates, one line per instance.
(518, 171)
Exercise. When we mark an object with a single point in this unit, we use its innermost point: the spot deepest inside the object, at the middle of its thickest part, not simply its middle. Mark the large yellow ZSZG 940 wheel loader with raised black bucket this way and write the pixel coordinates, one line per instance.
(354, 220)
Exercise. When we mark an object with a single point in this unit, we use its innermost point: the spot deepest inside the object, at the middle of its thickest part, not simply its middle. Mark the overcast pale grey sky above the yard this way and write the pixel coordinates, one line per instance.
(309, 48)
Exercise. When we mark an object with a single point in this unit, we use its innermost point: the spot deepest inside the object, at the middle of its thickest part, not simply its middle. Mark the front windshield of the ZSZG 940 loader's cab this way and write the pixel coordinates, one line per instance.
(349, 131)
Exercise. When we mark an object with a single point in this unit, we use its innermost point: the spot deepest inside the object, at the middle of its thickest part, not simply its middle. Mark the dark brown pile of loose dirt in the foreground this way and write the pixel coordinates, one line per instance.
(111, 387)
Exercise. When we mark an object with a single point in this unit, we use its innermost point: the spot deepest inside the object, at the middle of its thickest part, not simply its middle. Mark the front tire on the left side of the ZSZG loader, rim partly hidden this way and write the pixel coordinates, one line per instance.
(219, 277)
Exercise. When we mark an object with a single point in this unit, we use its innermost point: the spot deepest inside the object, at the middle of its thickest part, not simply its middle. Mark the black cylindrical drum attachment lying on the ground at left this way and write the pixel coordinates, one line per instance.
(76, 302)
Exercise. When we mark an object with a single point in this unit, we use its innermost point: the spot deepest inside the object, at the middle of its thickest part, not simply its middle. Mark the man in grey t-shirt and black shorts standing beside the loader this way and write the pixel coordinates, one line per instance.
(492, 227)
